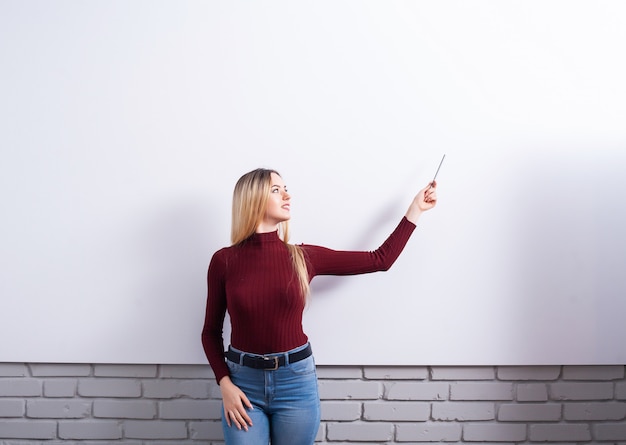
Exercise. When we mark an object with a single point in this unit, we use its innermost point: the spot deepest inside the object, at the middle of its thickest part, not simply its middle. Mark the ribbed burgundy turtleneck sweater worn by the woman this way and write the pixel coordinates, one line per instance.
(256, 282)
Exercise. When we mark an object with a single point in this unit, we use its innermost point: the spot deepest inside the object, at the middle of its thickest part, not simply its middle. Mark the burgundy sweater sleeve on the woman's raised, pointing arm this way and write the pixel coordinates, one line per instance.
(324, 261)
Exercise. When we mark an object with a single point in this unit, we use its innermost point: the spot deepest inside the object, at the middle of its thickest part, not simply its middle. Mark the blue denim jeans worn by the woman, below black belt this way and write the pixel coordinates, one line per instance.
(286, 404)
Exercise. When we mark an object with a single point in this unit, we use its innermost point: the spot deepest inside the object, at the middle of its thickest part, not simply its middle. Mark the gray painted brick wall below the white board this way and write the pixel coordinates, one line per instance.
(179, 404)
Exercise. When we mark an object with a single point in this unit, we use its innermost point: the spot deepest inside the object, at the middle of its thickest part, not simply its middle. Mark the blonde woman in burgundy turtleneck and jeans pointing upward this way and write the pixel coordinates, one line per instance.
(267, 377)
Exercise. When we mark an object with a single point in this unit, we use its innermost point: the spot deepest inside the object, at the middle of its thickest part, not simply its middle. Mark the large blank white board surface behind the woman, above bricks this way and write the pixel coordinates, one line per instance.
(124, 126)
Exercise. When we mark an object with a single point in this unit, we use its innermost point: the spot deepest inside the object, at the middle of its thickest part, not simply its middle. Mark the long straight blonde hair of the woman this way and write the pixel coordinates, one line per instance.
(249, 205)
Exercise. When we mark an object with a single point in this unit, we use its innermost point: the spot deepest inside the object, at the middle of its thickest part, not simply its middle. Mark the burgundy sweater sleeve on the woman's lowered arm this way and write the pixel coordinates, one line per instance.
(212, 332)
